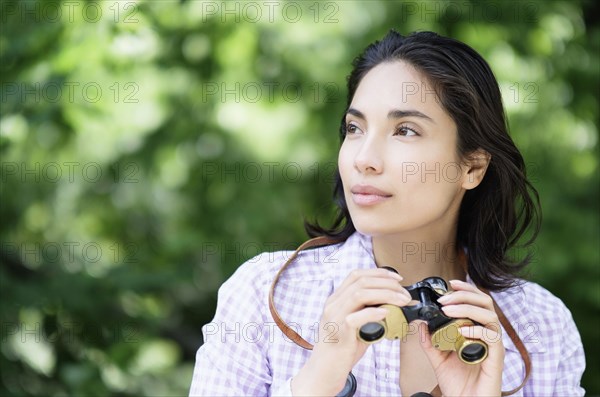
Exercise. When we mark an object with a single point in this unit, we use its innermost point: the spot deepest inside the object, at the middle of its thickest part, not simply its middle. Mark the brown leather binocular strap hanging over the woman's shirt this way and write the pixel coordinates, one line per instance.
(436, 392)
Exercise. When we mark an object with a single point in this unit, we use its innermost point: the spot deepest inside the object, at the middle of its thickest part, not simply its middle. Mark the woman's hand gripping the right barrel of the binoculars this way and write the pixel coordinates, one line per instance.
(456, 378)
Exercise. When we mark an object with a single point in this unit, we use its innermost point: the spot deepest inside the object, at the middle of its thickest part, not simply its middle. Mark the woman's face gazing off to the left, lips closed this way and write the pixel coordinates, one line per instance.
(398, 162)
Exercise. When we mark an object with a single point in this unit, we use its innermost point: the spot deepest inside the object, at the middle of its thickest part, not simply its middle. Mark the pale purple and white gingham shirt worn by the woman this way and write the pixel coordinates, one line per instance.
(245, 354)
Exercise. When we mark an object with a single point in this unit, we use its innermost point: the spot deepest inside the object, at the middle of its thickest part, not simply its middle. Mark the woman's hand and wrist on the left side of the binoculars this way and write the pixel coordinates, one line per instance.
(347, 309)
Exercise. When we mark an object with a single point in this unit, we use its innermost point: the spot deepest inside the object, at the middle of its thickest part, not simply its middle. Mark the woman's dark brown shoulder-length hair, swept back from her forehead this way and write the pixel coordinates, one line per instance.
(495, 215)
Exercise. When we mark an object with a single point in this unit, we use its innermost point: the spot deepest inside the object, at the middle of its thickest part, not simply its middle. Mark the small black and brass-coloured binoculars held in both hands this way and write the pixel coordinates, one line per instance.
(444, 330)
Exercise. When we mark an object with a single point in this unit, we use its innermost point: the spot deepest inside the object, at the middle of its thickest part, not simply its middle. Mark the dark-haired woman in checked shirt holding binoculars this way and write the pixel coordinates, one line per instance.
(428, 184)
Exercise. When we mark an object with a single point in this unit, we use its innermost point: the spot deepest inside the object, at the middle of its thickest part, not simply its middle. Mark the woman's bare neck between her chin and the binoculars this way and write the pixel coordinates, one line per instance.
(418, 258)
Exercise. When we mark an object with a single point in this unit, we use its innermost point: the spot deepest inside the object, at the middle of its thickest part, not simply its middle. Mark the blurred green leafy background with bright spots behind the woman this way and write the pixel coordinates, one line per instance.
(148, 148)
